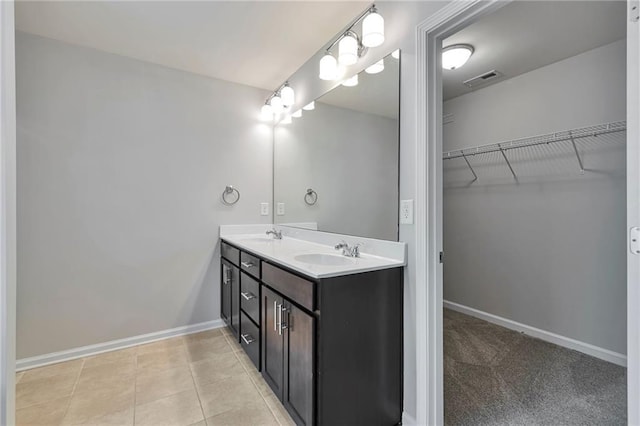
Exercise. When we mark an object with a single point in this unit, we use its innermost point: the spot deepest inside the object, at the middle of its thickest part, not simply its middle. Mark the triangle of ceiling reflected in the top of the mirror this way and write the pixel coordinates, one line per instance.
(377, 94)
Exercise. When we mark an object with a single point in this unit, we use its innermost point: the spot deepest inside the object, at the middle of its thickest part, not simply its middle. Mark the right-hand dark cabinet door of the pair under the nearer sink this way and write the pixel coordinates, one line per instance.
(298, 360)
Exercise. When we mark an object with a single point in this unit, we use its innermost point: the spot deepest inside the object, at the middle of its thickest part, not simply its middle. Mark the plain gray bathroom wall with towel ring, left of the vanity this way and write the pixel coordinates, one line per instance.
(120, 169)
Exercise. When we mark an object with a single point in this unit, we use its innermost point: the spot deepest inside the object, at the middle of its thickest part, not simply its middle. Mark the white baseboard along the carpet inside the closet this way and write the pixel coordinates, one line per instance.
(547, 336)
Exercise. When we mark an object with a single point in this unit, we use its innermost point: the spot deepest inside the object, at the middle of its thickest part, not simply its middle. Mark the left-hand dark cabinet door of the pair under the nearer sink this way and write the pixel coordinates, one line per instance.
(272, 341)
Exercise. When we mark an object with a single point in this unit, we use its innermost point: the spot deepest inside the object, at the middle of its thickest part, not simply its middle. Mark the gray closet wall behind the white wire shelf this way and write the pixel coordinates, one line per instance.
(548, 252)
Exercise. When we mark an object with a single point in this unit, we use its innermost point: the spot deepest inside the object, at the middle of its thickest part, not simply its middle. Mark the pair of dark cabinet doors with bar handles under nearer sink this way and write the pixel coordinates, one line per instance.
(287, 354)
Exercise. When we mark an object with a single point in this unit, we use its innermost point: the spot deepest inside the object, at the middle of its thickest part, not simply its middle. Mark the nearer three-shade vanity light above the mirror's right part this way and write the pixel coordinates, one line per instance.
(351, 46)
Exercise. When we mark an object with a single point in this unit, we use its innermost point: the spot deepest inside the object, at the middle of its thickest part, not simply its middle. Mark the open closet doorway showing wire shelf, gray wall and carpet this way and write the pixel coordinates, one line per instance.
(534, 201)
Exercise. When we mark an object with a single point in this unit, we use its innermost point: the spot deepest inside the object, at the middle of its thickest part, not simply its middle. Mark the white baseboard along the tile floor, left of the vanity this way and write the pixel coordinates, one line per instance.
(84, 351)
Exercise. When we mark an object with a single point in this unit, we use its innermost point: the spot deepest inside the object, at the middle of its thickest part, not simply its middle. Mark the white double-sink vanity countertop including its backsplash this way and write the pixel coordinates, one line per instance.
(312, 253)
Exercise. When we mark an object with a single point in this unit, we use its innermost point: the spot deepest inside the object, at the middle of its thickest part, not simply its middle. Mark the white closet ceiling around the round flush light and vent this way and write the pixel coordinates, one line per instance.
(526, 35)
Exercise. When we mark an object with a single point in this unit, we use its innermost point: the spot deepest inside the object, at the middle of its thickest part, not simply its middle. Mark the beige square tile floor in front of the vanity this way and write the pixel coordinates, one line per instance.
(203, 379)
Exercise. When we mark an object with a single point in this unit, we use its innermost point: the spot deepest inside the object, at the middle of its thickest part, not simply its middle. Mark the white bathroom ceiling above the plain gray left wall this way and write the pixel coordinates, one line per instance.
(256, 43)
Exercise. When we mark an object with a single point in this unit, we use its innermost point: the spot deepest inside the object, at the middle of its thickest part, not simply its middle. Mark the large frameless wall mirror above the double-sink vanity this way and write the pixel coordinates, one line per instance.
(336, 168)
